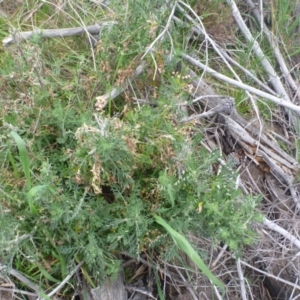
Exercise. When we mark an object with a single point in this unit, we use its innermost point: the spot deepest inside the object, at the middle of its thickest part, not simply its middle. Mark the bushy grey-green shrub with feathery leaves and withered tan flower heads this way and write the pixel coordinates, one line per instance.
(118, 176)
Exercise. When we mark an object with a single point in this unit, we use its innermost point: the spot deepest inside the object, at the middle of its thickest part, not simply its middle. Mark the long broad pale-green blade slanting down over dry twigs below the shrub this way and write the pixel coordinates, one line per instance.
(185, 246)
